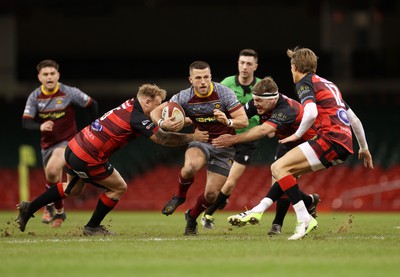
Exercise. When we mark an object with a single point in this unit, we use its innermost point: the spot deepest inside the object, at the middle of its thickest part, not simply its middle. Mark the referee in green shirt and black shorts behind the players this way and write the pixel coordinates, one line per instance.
(242, 84)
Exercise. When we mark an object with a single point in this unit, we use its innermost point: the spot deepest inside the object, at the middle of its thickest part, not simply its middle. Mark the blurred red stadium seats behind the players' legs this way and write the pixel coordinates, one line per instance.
(342, 188)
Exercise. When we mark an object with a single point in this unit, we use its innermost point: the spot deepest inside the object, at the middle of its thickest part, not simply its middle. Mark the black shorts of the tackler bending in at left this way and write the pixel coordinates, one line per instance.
(88, 172)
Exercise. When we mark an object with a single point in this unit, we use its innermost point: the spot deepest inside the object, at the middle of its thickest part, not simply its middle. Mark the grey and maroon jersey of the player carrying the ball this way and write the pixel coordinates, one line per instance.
(200, 109)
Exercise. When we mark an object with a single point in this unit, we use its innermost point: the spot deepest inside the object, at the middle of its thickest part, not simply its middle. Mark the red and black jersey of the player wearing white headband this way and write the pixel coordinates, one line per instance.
(285, 118)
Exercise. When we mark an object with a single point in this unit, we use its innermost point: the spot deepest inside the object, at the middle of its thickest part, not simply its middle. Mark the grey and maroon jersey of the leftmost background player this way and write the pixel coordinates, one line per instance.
(57, 107)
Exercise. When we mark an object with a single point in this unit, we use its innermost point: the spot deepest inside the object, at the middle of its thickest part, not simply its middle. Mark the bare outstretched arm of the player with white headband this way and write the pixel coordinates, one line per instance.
(252, 134)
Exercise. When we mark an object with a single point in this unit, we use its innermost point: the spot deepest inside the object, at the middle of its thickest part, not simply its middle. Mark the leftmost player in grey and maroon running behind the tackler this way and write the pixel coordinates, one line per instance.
(50, 109)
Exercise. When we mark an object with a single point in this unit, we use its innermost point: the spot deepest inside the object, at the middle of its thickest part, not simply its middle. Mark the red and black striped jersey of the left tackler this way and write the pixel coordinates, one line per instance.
(96, 142)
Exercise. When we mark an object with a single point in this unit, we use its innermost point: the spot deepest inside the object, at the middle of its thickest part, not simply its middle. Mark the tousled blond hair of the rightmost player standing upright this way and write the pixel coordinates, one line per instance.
(304, 59)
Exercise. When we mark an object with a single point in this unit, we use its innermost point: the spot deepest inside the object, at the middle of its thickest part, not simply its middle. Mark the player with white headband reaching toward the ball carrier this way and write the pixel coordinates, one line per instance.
(280, 116)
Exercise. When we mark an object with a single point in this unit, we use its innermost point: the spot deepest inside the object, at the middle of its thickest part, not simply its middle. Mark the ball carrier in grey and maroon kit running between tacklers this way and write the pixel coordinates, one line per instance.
(216, 109)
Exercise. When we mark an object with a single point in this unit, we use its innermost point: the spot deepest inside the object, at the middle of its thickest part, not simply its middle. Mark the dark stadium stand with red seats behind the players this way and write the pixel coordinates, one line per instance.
(108, 48)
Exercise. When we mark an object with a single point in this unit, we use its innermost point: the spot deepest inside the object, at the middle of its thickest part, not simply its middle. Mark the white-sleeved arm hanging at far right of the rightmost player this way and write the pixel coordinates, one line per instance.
(358, 129)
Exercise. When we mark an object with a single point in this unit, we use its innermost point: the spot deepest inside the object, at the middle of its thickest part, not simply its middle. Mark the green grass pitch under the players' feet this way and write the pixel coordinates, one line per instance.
(151, 244)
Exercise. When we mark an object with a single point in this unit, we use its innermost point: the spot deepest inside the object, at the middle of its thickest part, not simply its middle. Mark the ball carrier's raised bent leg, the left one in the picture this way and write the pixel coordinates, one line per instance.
(195, 159)
